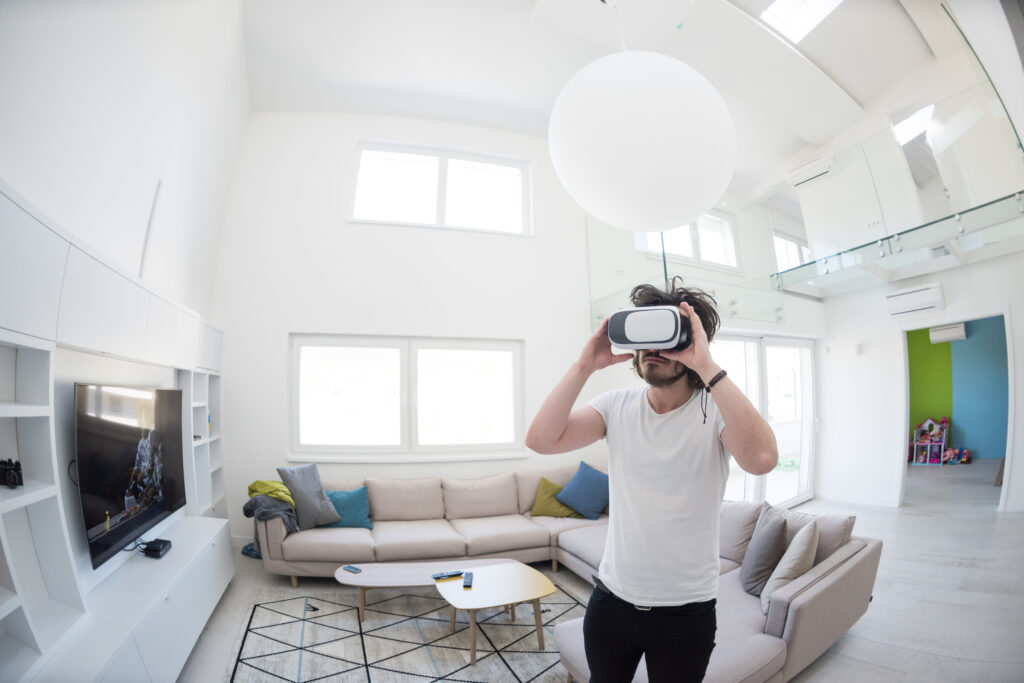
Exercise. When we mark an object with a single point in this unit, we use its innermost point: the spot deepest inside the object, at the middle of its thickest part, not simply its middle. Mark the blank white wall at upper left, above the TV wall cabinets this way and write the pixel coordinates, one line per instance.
(103, 100)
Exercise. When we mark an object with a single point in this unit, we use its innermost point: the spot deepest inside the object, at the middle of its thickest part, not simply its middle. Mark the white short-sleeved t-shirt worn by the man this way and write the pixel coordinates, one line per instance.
(667, 478)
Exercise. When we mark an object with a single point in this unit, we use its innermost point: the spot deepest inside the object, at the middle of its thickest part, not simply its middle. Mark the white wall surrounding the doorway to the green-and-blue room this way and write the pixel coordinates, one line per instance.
(863, 380)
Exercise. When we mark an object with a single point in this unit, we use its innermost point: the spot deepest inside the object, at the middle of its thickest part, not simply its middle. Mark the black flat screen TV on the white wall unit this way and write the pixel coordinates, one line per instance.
(131, 466)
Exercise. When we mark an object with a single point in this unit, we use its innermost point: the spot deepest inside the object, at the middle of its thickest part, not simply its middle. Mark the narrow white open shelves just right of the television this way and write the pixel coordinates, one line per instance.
(201, 393)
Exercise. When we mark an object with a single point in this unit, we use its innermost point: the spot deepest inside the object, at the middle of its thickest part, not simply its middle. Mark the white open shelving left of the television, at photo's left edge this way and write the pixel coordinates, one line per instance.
(40, 596)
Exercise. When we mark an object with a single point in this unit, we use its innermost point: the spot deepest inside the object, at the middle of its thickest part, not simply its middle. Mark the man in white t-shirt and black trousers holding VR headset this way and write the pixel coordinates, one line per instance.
(669, 449)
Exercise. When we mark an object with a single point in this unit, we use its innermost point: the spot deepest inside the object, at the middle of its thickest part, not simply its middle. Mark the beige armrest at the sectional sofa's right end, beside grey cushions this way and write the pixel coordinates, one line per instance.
(814, 612)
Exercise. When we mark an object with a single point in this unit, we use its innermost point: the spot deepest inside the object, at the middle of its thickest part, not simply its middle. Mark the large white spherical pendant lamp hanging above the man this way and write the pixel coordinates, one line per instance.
(643, 142)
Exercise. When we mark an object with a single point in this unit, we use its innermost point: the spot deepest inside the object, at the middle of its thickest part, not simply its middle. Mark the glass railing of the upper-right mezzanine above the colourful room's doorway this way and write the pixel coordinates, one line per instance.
(906, 201)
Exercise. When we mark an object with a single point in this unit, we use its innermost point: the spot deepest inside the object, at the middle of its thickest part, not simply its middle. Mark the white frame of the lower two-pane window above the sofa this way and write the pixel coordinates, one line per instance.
(408, 450)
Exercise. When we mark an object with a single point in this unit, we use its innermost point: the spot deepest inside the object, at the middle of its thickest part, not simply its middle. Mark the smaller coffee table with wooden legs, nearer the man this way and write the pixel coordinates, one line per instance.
(495, 586)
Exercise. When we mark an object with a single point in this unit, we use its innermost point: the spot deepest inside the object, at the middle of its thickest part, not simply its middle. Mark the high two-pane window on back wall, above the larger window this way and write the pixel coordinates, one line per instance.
(440, 189)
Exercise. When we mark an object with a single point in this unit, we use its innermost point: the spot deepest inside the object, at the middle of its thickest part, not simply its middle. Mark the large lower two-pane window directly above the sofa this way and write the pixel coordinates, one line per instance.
(396, 395)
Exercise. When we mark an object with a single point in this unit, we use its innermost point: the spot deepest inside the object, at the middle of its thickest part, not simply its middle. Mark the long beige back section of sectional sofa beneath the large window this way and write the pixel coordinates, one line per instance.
(428, 520)
